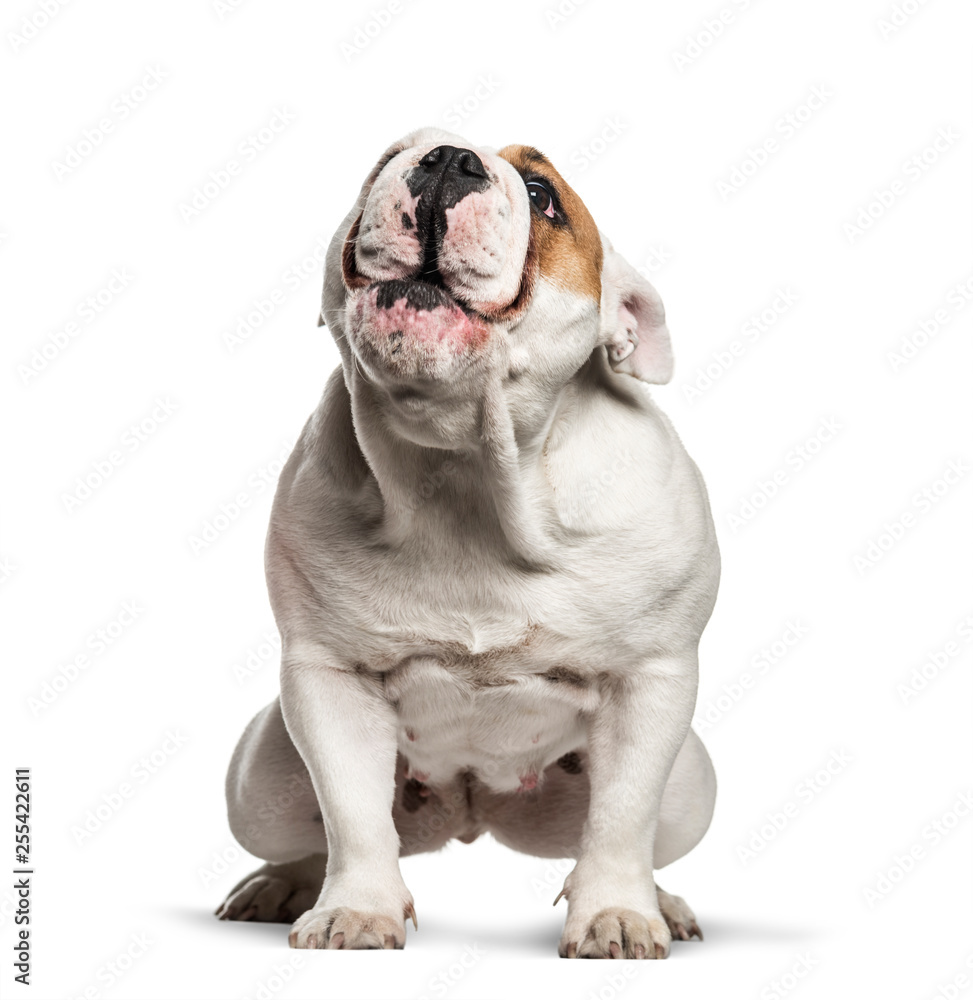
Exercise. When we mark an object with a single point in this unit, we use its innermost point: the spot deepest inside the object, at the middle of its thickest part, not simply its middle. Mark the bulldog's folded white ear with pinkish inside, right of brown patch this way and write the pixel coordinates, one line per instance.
(633, 321)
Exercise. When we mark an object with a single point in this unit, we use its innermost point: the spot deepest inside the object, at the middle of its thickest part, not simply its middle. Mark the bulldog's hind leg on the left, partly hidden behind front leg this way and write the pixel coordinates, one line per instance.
(274, 814)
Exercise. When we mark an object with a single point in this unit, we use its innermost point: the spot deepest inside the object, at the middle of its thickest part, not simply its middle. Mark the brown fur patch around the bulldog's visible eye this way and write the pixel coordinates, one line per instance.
(568, 247)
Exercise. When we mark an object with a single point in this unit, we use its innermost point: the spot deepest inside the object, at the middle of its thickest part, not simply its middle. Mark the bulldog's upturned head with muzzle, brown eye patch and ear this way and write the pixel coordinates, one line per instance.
(458, 265)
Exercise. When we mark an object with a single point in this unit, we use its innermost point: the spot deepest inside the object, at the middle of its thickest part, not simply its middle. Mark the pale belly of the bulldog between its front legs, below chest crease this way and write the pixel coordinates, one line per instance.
(505, 731)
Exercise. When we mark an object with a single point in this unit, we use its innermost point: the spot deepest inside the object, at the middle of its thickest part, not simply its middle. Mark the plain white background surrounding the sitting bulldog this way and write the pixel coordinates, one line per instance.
(680, 120)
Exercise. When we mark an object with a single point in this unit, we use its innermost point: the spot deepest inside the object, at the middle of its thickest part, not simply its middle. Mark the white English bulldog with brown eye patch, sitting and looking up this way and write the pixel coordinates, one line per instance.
(490, 560)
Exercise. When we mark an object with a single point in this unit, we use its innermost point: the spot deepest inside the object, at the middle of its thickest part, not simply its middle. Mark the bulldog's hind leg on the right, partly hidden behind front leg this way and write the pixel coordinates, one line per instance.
(549, 822)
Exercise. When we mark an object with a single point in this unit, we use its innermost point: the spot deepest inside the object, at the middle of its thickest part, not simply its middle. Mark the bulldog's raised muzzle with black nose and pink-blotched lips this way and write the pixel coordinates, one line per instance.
(436, 258)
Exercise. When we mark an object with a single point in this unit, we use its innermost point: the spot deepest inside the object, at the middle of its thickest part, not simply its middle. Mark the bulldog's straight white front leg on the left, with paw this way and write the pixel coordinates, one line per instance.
(345, 732)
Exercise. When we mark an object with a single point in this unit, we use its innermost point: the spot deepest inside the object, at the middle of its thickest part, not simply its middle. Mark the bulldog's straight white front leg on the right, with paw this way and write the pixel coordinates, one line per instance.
(633, 738)
